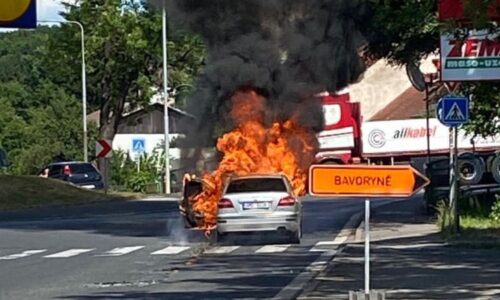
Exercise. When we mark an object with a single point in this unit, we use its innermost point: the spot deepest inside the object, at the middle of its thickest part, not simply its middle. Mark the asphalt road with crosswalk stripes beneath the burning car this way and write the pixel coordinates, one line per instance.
(140, 250)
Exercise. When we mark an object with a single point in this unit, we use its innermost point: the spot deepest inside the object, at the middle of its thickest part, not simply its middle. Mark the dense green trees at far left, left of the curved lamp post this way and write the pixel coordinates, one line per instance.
(39, 119)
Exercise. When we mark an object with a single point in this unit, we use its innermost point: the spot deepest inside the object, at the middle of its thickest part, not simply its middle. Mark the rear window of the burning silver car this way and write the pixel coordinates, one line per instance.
(249, 185)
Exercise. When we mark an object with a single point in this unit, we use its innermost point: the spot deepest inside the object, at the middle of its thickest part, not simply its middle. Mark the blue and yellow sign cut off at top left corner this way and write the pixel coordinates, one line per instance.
(17, 13)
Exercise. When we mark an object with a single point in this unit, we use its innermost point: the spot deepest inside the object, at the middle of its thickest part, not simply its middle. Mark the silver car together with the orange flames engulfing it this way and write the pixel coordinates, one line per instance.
(280, 150)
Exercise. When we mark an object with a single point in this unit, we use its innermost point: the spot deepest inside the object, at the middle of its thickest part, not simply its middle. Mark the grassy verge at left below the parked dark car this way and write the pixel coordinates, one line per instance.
(19, 192)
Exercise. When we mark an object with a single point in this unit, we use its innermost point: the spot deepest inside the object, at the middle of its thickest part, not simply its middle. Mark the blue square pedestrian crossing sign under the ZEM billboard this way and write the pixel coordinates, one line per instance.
(453, 111)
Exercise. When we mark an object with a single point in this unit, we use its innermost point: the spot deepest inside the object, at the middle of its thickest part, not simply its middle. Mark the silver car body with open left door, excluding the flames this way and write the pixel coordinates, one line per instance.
(252, 203)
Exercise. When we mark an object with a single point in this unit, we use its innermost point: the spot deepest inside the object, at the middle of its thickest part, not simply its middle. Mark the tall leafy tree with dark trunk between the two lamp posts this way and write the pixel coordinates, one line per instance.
(124, 57)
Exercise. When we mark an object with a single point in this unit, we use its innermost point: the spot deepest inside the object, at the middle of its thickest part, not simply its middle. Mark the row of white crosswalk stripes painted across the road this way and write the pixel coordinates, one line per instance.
(171, 250)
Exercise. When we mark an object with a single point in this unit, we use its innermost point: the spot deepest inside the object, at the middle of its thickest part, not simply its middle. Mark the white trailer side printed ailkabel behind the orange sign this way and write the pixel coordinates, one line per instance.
(401, 137)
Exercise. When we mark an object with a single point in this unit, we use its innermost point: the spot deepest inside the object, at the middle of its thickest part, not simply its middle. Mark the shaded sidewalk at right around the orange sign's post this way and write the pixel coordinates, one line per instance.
(409, 260)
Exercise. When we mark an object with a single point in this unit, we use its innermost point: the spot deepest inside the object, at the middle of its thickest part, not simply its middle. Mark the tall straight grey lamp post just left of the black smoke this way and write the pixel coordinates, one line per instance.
(165, 95)
